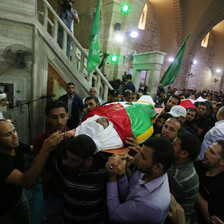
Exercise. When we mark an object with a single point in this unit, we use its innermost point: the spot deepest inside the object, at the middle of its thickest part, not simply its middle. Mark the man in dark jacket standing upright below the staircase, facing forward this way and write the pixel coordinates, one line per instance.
(74, 104)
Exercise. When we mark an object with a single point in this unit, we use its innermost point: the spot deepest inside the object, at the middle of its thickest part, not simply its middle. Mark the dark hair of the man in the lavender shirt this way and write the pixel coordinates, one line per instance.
(162, 151)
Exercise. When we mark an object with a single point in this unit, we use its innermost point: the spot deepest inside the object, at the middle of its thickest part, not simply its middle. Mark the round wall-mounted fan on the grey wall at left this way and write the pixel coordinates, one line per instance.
(17, 56)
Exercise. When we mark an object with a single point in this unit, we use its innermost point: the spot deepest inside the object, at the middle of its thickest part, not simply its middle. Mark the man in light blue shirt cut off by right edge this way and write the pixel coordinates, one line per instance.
(214, 134)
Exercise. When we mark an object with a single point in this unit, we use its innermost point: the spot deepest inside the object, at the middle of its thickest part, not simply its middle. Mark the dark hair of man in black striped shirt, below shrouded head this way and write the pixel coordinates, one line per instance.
(82, 146)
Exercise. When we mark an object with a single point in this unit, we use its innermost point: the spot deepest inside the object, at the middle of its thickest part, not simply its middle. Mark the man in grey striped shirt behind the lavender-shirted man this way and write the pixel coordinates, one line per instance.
(183, 179)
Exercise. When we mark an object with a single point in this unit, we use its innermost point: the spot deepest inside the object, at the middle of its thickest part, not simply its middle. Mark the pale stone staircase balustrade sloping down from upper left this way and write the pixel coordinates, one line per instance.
(47, 23)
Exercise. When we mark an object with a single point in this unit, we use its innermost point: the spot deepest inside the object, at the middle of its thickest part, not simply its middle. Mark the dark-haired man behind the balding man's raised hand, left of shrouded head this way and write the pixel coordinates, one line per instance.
(57, 116)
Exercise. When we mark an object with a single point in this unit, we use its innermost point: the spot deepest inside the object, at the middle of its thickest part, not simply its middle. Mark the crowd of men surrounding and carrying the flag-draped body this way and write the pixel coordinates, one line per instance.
(175, 176)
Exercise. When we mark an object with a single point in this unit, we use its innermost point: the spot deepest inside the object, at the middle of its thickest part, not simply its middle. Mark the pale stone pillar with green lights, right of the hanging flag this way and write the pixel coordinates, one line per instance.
(112, 14)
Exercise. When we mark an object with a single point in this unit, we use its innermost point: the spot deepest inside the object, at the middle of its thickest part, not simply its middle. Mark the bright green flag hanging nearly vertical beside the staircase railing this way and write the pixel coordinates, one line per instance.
(94, 49)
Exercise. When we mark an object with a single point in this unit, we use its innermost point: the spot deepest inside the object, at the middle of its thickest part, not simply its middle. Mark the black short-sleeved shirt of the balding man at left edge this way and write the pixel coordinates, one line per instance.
(10, 194)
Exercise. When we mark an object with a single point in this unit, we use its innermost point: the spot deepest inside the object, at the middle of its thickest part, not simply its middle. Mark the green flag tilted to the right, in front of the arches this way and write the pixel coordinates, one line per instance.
(174, 68)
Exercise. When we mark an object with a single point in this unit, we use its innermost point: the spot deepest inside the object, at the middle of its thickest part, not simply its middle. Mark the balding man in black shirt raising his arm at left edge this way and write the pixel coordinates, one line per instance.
(14, 206)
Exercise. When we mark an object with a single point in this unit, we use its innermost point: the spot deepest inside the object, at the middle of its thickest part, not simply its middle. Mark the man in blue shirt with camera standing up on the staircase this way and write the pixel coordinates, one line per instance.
(68, 15)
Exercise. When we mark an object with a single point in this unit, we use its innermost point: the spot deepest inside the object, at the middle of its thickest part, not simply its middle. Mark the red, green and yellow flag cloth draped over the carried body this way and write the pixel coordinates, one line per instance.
(128, 118)
